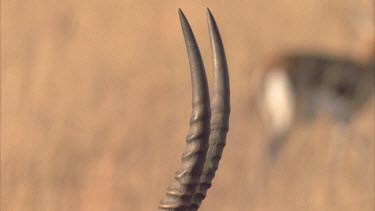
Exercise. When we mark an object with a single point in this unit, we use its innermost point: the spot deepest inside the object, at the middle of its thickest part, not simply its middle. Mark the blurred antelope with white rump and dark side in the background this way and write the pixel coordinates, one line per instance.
(299, 86)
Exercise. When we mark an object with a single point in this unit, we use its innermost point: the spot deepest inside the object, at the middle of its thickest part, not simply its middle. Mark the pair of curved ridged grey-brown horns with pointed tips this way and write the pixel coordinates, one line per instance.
(208, 125)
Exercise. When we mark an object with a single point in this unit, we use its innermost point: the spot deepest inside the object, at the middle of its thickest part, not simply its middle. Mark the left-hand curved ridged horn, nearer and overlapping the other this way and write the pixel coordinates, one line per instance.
(180, 194)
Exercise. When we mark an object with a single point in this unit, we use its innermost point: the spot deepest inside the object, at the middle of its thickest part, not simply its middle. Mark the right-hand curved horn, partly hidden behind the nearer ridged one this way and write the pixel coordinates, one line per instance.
(220, 112)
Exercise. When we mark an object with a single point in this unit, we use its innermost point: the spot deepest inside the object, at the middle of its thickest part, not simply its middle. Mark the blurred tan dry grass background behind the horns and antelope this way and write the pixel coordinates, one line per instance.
(96, 99)
